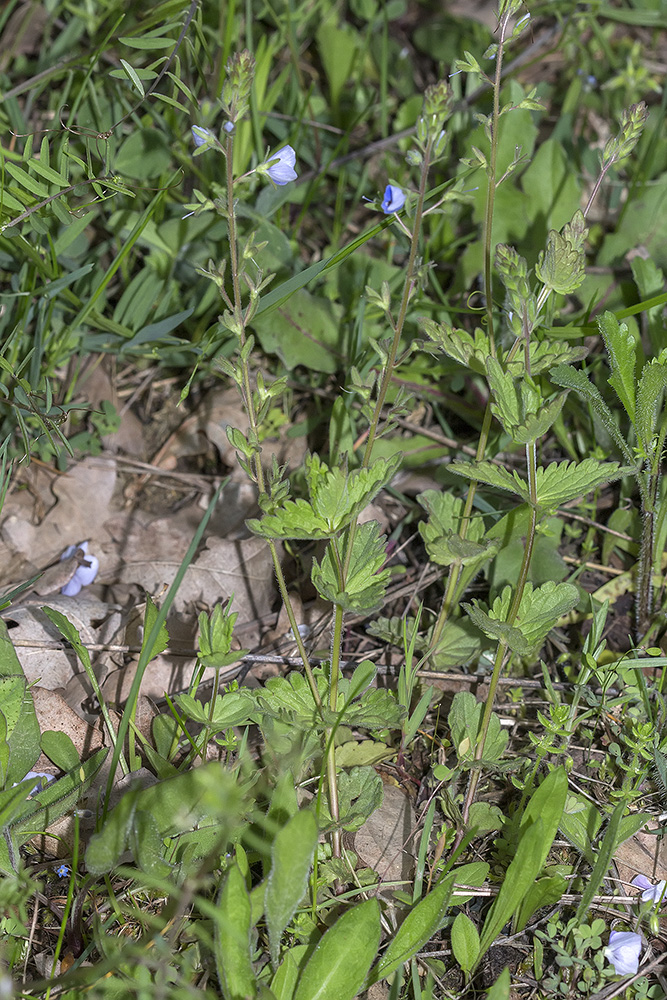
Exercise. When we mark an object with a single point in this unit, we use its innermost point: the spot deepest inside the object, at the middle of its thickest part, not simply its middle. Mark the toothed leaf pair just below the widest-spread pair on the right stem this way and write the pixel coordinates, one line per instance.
(539, 611)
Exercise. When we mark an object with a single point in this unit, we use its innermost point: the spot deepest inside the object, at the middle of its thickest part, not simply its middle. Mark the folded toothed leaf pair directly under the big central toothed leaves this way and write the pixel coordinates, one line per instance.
(365, 582)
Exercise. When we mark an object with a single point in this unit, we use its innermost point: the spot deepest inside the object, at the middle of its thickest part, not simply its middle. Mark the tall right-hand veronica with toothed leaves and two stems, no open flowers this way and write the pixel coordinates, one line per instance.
(522, 401)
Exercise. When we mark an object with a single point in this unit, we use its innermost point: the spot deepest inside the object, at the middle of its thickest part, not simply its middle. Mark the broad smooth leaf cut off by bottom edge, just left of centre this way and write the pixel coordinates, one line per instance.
(337, 968)
